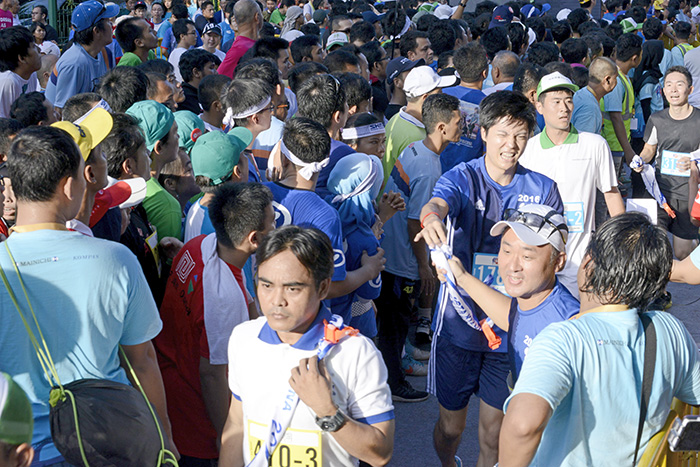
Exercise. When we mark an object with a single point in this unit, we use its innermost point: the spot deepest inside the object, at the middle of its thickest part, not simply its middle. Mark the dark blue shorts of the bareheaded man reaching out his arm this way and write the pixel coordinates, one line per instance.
(460, 373)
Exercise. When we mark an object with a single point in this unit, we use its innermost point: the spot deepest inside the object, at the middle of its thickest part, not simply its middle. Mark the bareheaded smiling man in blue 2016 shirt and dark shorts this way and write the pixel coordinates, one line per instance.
(471, 198)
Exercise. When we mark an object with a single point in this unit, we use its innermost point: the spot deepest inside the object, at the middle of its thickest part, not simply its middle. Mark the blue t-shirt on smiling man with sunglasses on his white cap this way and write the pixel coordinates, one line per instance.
(524, 325)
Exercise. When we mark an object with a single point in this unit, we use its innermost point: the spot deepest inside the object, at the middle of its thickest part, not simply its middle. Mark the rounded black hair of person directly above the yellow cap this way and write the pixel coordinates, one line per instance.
(123, 86)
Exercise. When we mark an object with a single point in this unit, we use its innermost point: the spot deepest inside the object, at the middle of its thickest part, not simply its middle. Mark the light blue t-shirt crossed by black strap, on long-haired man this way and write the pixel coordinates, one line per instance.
(593, 367)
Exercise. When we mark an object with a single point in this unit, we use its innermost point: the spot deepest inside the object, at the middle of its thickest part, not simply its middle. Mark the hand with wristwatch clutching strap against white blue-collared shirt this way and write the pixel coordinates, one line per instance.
(309, 380)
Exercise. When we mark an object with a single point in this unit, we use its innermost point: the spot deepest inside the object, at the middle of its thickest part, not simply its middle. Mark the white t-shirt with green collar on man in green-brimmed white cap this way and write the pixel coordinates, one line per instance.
(579, 166)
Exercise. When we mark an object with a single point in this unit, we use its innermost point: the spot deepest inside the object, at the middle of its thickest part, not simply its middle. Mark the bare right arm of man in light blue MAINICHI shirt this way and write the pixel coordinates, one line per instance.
(143, 360)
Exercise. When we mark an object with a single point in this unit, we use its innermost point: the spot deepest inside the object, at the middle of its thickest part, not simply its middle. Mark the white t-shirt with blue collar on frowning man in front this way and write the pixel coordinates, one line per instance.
(259, 369)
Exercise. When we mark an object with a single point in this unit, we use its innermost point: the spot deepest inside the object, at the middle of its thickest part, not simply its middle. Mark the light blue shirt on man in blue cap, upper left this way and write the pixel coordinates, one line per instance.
(75, 72)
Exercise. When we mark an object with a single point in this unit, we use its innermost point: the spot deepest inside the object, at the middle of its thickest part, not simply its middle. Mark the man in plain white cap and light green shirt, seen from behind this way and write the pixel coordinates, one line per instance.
(407, 126)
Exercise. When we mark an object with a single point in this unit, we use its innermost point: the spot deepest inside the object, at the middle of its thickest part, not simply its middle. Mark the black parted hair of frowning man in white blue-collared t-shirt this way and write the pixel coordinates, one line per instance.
(310, 246)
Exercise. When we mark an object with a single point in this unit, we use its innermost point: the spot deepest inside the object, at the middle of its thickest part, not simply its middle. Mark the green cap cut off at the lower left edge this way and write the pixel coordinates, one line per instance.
(16, 417)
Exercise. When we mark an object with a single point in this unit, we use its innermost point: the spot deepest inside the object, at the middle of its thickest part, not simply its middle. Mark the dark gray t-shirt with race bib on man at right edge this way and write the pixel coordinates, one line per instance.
(674, 139)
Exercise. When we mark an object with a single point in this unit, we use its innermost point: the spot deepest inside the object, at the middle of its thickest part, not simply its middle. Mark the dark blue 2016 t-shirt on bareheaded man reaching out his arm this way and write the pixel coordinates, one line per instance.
(476, 203)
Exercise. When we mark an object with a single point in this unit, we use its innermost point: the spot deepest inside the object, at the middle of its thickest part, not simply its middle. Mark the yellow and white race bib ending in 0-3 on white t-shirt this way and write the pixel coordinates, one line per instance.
(299, 448)
